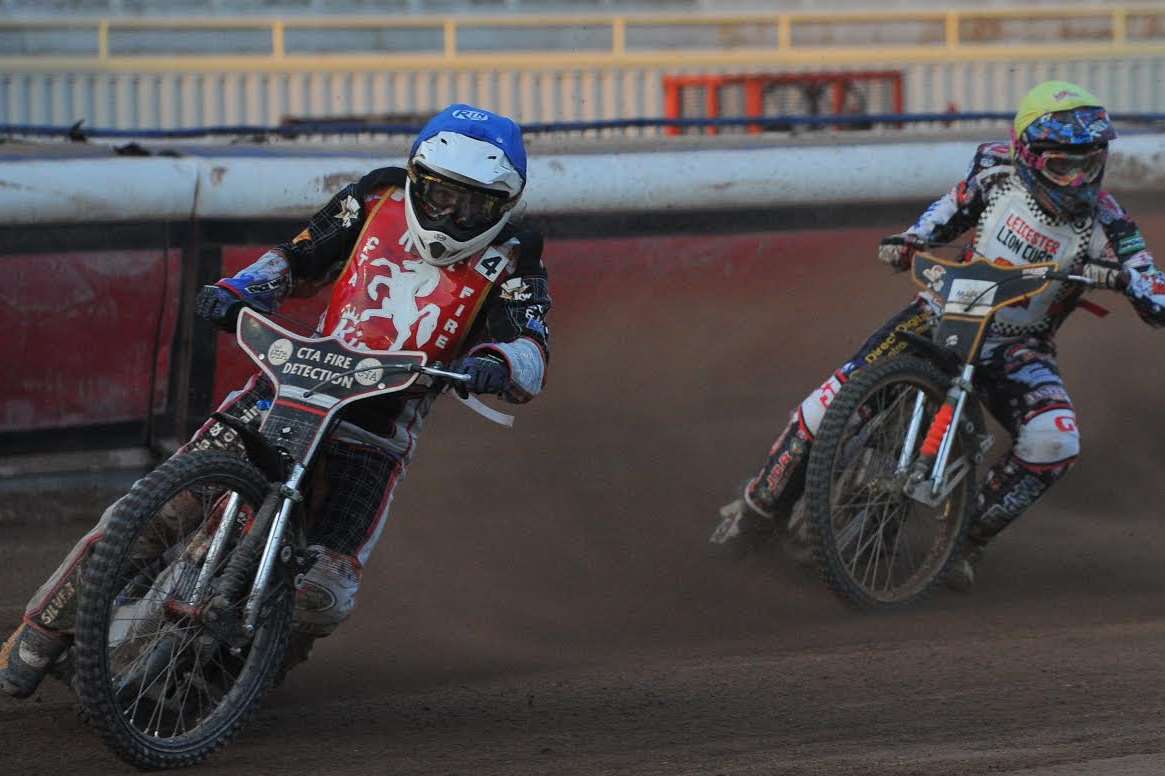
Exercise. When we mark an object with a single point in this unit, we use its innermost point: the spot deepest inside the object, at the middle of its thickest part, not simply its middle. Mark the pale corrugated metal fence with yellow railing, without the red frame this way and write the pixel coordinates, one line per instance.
(186, 73)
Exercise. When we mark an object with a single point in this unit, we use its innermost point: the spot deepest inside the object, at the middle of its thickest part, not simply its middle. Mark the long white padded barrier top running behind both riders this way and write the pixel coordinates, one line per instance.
(62, 192)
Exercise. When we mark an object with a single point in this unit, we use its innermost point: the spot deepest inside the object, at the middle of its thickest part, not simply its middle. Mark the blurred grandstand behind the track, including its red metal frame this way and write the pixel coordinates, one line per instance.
(131, 65)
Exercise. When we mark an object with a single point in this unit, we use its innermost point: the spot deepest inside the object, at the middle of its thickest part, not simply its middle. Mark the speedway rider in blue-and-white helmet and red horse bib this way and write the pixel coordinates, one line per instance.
(421, 259)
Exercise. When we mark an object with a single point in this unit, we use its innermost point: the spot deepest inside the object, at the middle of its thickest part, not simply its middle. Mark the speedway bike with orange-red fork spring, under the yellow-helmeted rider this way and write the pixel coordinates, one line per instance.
(891, 482)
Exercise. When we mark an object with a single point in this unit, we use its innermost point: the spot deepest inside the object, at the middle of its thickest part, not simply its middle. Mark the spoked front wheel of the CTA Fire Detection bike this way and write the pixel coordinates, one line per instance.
(164, 668)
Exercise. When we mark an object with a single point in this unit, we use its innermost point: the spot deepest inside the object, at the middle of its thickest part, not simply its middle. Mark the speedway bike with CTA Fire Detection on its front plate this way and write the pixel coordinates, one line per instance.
(186, 605)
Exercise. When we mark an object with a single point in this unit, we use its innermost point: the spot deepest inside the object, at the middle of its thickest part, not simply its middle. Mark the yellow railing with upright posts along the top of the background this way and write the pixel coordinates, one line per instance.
(526, 43)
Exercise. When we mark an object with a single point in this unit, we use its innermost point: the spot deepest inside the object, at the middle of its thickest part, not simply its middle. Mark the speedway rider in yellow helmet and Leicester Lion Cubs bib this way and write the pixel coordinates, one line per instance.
(1037, 200)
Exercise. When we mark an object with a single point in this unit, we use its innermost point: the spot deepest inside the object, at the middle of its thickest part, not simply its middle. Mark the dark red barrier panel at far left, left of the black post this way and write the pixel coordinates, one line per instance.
(81, 336)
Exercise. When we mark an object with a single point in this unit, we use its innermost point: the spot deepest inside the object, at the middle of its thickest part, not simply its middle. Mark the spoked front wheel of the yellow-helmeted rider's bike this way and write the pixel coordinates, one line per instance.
(877, 547)
